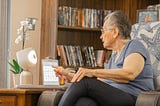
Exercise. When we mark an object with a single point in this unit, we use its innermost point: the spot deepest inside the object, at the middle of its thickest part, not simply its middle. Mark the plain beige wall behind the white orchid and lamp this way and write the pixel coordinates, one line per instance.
(20, 9)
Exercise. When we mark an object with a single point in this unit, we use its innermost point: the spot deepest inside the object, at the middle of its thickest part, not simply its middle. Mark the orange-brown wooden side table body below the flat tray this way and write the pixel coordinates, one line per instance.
(19, 97)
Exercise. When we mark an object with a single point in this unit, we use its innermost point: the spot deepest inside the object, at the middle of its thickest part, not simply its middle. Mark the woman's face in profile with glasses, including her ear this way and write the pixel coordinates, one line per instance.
(107, 37)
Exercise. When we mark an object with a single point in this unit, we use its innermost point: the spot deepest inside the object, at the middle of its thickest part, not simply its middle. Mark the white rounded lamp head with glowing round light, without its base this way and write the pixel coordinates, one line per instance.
(26, 58)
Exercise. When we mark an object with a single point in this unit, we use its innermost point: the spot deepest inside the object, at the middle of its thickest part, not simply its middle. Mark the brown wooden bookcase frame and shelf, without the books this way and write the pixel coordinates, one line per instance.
(53, 34)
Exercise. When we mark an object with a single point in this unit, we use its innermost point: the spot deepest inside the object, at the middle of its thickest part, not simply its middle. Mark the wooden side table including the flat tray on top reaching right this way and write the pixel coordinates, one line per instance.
(25, 95)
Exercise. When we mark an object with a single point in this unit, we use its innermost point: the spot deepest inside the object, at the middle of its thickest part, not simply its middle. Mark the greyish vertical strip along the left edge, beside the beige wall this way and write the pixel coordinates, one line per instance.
(4, 40)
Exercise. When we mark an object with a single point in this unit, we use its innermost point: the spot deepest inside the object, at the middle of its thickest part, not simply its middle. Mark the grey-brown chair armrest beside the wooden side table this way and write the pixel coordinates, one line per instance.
(50, 98)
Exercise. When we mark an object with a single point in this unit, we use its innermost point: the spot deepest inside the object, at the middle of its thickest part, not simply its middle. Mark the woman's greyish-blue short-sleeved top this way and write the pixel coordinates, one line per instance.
(144, 81)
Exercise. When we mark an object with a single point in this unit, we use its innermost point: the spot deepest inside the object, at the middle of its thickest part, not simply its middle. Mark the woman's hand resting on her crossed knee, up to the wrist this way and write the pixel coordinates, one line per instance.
(82, 72)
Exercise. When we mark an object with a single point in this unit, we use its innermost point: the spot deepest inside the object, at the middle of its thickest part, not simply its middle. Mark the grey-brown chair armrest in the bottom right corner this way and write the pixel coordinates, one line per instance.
(151, 98)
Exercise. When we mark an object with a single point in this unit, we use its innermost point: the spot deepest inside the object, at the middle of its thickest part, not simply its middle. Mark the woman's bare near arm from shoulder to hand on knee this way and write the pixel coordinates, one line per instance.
(133, 65)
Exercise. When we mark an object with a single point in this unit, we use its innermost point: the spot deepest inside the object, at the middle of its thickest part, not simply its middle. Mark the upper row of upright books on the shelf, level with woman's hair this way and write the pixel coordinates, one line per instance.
(85, 17)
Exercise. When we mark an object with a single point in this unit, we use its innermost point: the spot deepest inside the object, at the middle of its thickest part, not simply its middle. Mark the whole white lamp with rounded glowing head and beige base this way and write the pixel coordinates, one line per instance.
(27, 59)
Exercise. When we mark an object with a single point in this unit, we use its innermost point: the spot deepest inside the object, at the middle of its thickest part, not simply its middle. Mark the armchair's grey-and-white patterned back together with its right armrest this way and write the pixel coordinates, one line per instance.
(149, 35)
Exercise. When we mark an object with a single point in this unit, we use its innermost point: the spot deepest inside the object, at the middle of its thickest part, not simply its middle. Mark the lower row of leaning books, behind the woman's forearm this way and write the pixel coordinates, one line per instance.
(80, 56)
